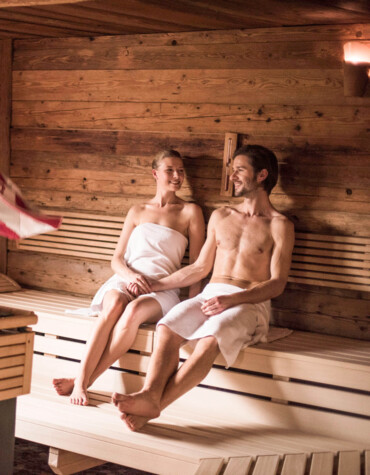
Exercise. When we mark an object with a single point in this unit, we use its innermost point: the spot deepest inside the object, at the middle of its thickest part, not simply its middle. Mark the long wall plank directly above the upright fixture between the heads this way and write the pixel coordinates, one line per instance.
(202, 117)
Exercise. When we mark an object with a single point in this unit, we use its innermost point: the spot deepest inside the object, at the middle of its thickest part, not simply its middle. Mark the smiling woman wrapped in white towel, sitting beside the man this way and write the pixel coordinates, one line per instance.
(151, 245)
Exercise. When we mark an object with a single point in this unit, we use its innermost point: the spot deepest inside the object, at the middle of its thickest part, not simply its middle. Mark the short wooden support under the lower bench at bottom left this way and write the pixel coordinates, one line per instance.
(65, 462)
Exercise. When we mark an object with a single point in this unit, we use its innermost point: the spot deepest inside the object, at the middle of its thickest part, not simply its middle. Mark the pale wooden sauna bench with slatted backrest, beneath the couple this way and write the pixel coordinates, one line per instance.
(297, 405)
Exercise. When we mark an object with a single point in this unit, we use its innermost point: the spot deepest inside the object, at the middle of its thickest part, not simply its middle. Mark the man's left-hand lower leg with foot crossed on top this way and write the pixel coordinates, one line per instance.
(163, 364)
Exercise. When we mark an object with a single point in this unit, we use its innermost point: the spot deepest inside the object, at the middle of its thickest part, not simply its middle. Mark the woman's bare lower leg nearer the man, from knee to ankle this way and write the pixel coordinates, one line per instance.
(142, 310)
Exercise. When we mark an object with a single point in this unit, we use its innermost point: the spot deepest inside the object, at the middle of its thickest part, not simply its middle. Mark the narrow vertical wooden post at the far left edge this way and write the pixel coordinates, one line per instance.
(5, 111)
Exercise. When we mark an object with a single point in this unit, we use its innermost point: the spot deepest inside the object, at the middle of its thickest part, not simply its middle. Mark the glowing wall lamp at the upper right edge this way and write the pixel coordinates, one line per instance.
(356, 67)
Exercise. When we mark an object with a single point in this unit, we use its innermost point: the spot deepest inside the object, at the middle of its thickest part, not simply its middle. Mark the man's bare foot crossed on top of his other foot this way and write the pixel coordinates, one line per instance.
(138, 404)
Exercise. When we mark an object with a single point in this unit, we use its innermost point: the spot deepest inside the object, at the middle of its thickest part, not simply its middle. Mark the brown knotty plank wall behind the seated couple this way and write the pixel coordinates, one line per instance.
(89, 114)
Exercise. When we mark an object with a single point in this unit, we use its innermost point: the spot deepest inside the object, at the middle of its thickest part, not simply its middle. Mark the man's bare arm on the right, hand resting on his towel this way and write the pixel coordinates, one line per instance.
(283, 236)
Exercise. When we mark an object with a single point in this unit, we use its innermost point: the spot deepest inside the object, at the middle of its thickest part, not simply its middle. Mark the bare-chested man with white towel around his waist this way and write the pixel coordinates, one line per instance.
(249, 247)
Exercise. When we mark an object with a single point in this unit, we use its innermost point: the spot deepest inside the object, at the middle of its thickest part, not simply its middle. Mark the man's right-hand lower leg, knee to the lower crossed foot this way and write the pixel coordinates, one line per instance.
(189, 375)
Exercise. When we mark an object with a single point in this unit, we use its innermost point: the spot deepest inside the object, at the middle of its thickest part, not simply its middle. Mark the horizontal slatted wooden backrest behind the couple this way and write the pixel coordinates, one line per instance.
(323, 260)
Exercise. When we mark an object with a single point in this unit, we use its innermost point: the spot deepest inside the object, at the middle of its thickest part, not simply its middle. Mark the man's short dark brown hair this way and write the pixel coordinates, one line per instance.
(260, 158)
